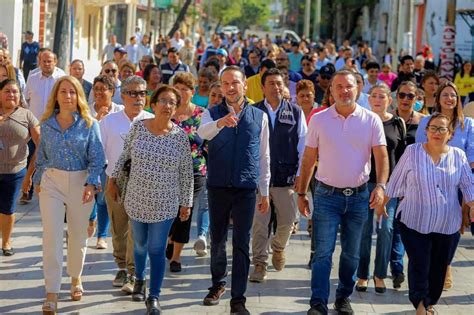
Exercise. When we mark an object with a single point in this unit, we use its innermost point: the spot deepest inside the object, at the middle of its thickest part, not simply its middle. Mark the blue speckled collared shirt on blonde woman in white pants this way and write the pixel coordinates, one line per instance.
(77, 148)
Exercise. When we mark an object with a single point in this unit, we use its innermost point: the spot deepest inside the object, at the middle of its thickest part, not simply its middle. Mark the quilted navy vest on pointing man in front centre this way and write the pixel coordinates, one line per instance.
(234, 153)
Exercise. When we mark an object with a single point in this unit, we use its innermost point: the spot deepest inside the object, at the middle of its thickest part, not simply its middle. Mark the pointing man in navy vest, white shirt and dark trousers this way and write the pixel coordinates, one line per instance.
(238, 165)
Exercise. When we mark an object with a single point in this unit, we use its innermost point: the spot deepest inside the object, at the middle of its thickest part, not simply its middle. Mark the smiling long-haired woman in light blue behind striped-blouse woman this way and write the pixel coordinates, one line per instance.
(448, 102)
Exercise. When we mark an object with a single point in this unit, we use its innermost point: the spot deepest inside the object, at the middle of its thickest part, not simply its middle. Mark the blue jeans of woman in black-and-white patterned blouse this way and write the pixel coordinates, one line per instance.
(149, 239)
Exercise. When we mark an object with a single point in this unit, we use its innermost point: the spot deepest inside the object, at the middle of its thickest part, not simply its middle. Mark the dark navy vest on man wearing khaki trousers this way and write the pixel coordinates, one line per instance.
(283, 144)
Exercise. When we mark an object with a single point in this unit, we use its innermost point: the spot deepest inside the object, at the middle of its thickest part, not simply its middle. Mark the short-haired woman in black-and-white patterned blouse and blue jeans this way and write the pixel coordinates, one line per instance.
(159, 188)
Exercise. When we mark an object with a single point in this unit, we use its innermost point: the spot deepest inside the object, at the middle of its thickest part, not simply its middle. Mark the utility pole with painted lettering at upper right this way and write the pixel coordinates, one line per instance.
(449, 39)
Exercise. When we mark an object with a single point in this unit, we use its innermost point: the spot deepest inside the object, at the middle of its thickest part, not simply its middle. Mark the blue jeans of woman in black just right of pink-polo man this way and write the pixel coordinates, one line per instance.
(384, 242)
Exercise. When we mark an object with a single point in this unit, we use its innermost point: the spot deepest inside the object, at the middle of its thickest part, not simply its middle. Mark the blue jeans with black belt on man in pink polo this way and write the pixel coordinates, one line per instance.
(332, 209)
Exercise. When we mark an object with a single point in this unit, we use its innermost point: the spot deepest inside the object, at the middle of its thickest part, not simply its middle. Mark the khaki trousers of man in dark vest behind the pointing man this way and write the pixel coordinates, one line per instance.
(285, 209)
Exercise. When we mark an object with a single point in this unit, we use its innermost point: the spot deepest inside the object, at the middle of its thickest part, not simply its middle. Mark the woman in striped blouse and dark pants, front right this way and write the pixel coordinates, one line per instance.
(430, 215)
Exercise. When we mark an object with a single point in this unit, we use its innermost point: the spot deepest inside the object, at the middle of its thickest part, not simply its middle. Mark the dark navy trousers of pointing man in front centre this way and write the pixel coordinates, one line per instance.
(241, 202)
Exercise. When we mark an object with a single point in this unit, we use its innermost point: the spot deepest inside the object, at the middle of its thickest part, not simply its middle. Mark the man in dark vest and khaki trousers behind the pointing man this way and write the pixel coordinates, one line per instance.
(287, 142)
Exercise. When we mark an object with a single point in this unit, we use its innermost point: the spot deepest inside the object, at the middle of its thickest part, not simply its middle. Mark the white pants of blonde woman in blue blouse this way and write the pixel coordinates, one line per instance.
(61, 192)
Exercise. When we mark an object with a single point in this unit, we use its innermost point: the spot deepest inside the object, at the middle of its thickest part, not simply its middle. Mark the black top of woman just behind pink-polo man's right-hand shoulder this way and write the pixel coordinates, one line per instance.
(395, 136)
